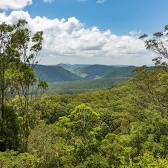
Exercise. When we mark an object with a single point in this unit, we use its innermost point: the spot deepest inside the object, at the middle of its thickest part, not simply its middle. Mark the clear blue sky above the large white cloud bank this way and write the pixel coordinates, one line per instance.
(121, 16)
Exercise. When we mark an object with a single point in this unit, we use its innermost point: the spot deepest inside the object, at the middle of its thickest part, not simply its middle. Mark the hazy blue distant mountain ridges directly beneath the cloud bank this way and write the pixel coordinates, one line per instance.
(69, 72)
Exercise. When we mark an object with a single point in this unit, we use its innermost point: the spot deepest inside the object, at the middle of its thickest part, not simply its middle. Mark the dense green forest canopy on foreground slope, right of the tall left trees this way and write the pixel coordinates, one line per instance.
(119, 127)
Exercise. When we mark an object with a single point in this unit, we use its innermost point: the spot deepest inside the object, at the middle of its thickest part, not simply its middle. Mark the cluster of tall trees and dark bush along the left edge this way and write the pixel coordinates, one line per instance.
(19, 50)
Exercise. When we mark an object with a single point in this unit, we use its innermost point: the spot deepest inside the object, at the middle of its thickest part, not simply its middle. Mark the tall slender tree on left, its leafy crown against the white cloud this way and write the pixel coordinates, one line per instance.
(29, 47)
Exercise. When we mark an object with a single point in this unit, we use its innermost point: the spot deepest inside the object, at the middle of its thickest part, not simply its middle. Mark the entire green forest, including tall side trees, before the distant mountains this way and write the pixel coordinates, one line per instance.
(123, 126)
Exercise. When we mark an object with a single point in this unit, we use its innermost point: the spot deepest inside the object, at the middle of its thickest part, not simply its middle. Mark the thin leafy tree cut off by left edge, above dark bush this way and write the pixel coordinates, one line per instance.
(7, 54)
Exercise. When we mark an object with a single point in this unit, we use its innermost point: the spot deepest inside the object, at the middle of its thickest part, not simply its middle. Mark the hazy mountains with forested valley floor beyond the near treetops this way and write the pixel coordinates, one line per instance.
(67, 78)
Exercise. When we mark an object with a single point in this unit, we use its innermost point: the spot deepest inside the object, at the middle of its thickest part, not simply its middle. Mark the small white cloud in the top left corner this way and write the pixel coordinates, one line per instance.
(14, 4)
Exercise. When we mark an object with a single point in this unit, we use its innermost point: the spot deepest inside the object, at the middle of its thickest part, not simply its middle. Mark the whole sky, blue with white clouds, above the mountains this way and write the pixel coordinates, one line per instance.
(90, 31)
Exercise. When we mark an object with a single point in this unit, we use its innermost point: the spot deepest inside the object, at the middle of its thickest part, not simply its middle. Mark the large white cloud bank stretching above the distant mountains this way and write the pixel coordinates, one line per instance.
(70, 41)
